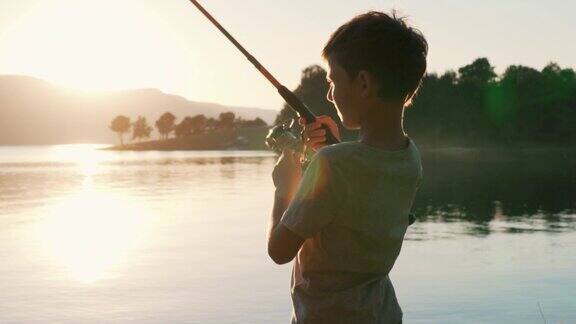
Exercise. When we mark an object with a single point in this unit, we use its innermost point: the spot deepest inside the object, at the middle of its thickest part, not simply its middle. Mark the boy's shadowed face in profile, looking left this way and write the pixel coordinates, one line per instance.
(343, 93)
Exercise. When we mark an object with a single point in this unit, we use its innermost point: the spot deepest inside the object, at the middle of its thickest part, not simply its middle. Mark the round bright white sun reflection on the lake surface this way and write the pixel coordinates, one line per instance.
(90, 232)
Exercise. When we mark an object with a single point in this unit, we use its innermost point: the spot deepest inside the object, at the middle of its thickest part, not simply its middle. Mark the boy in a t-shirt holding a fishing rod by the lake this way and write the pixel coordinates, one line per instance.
(346, 216)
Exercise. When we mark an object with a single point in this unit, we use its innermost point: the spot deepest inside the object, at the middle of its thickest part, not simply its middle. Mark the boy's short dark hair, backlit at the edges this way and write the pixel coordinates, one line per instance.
(386, 47)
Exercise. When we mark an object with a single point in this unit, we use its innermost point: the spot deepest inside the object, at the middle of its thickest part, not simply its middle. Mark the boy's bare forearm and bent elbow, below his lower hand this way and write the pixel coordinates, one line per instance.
(283, 244)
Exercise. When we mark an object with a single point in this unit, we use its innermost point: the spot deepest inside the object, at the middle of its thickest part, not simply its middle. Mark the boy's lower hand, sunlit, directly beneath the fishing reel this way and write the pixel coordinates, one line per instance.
(287, 173)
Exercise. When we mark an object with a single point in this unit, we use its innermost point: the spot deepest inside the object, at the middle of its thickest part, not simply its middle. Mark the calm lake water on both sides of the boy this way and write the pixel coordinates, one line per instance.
(89, 236)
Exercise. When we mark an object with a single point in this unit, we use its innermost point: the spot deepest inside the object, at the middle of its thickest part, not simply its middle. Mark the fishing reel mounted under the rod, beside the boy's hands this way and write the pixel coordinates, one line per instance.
(286, 135)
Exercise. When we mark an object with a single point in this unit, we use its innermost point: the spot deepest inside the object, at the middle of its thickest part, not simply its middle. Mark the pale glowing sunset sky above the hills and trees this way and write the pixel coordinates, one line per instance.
(169, 45)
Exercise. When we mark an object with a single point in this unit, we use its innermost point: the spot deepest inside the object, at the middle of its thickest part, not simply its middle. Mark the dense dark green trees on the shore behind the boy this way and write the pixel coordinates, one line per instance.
(474, 105)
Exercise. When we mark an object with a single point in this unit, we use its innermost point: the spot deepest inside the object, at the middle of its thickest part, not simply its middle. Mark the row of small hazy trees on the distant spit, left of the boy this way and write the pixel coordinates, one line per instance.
(166, 125)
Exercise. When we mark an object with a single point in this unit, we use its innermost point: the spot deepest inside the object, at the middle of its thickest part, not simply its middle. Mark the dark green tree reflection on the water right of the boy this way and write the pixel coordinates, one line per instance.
(528, 192)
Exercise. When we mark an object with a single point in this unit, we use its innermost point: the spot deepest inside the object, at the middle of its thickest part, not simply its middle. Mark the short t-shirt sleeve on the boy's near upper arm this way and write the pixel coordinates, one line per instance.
(312, 206)
